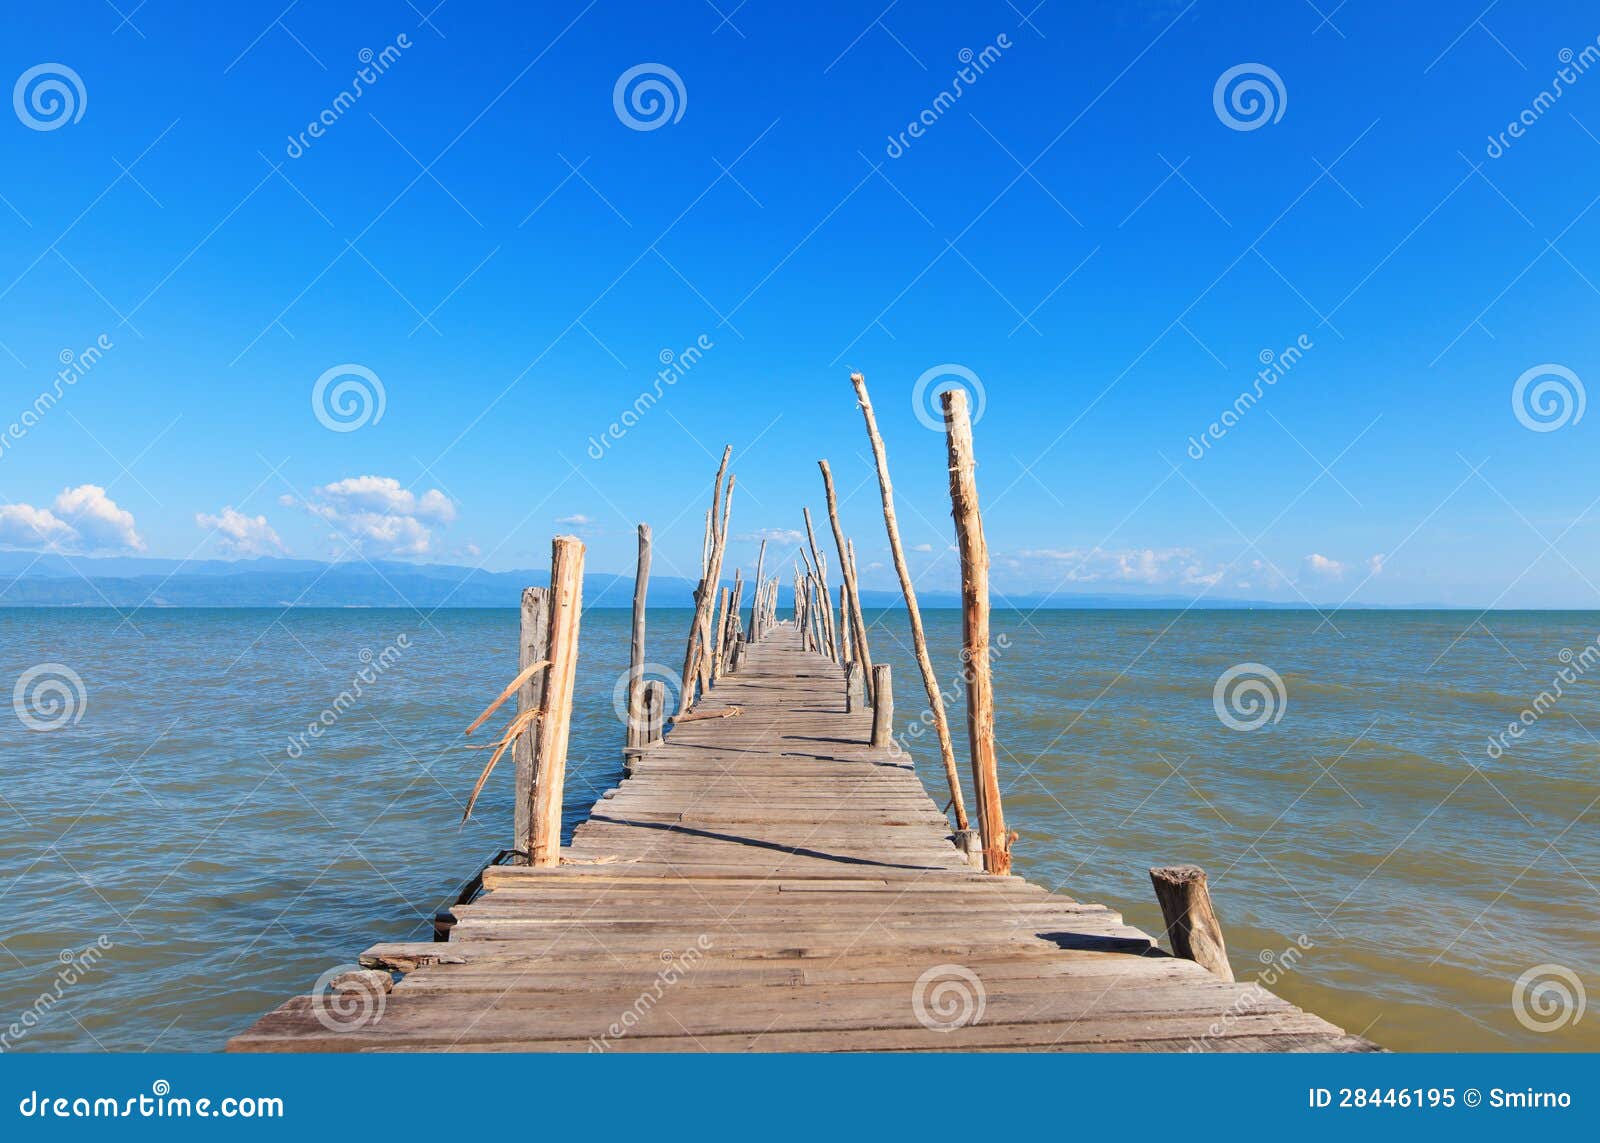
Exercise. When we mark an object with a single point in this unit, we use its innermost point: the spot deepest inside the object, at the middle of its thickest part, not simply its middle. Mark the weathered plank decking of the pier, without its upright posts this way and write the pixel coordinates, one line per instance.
(774, 883)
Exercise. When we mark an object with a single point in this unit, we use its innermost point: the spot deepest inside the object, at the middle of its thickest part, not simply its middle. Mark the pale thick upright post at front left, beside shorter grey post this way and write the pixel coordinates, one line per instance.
(567, 604)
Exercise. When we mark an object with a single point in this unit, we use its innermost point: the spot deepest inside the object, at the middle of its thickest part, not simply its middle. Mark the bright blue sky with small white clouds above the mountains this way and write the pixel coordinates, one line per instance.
(1086, 231)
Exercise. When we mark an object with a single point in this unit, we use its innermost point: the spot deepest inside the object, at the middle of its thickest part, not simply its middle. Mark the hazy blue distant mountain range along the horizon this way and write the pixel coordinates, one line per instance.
(33, 580)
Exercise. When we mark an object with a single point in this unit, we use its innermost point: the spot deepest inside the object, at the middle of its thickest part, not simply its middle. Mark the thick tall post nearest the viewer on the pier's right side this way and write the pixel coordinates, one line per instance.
(975, 632)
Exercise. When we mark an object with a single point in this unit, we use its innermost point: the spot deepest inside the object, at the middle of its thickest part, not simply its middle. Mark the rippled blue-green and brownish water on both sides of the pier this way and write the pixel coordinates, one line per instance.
(170, 836)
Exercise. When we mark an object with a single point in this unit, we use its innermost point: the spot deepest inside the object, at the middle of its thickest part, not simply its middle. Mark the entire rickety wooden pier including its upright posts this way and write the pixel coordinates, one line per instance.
(772, 875)
